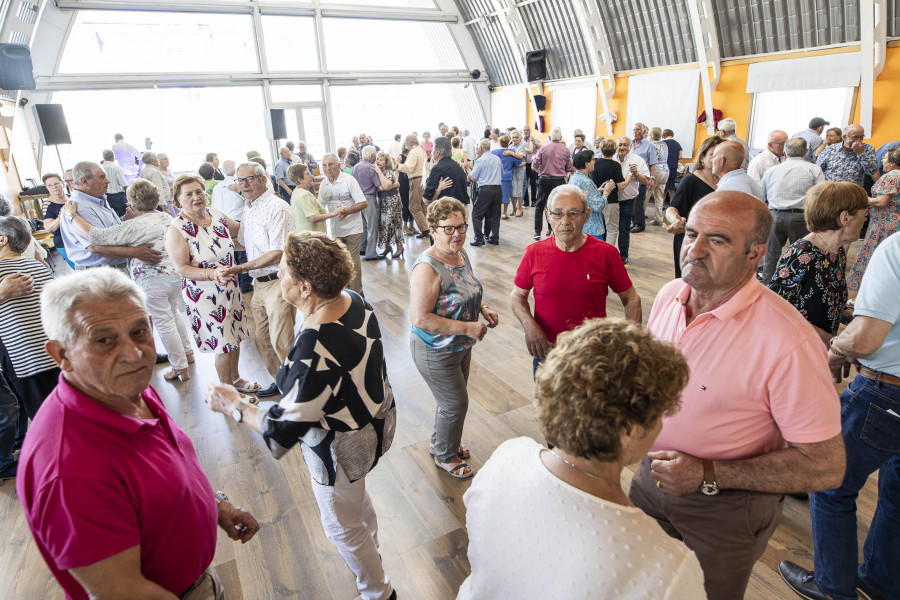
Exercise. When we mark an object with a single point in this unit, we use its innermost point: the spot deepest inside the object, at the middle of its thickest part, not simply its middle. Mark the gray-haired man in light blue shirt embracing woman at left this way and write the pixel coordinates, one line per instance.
(90, 189)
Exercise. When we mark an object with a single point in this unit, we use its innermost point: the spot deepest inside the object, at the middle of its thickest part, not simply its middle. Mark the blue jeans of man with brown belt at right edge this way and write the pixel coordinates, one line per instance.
(872, 439)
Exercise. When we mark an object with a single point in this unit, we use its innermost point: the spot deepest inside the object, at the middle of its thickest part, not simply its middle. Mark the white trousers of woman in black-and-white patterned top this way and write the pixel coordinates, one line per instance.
(348, 518)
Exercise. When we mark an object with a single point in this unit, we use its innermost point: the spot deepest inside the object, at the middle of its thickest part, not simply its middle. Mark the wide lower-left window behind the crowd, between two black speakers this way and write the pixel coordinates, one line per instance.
(184, 123)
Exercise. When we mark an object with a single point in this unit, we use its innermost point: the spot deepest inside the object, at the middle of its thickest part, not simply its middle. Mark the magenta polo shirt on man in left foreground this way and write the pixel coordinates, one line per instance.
(94, 482)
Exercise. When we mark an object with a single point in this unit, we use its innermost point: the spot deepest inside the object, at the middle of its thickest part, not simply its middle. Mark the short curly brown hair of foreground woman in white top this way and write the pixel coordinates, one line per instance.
(603, 379)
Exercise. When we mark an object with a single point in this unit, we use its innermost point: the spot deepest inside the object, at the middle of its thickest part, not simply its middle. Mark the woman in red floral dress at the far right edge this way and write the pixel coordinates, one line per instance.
(884, 218)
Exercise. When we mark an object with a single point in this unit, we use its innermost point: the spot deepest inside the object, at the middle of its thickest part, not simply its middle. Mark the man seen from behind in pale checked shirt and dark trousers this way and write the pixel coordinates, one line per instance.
(784, 189)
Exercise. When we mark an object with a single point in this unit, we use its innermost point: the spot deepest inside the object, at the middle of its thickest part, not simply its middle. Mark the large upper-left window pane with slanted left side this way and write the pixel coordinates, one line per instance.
(156, 42)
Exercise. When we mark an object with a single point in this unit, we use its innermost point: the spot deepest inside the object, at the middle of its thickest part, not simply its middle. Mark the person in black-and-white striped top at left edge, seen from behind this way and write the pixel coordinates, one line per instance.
(25, 363)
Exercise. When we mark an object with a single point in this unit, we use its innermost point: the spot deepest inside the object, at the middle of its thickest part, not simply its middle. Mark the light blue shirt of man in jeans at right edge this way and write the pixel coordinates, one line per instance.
(879, 298)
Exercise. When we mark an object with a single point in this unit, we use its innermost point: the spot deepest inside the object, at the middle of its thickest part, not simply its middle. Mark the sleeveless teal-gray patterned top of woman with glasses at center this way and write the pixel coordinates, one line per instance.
(459, 299)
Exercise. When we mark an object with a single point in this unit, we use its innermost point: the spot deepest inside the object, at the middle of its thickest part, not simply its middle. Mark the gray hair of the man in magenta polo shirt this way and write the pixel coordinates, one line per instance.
(61, 296)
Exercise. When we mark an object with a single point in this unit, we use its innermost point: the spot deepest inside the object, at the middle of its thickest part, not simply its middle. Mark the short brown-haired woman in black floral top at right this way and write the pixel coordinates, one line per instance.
(810, 273)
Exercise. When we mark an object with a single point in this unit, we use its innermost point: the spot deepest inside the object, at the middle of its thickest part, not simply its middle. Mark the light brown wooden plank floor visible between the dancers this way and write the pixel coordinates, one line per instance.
(420, 509)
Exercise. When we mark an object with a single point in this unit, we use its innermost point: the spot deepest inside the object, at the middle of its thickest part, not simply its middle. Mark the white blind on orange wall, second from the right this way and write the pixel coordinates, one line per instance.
(667, 100)
